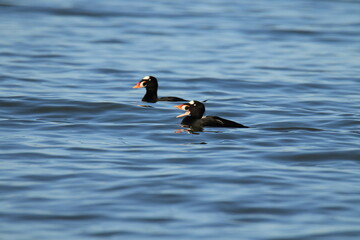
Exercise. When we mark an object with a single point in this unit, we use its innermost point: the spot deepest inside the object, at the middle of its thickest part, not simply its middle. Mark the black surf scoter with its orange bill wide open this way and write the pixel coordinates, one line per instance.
(195, 119)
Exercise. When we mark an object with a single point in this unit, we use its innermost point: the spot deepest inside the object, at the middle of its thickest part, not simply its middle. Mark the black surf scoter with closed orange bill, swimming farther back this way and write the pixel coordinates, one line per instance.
(151, 85)
